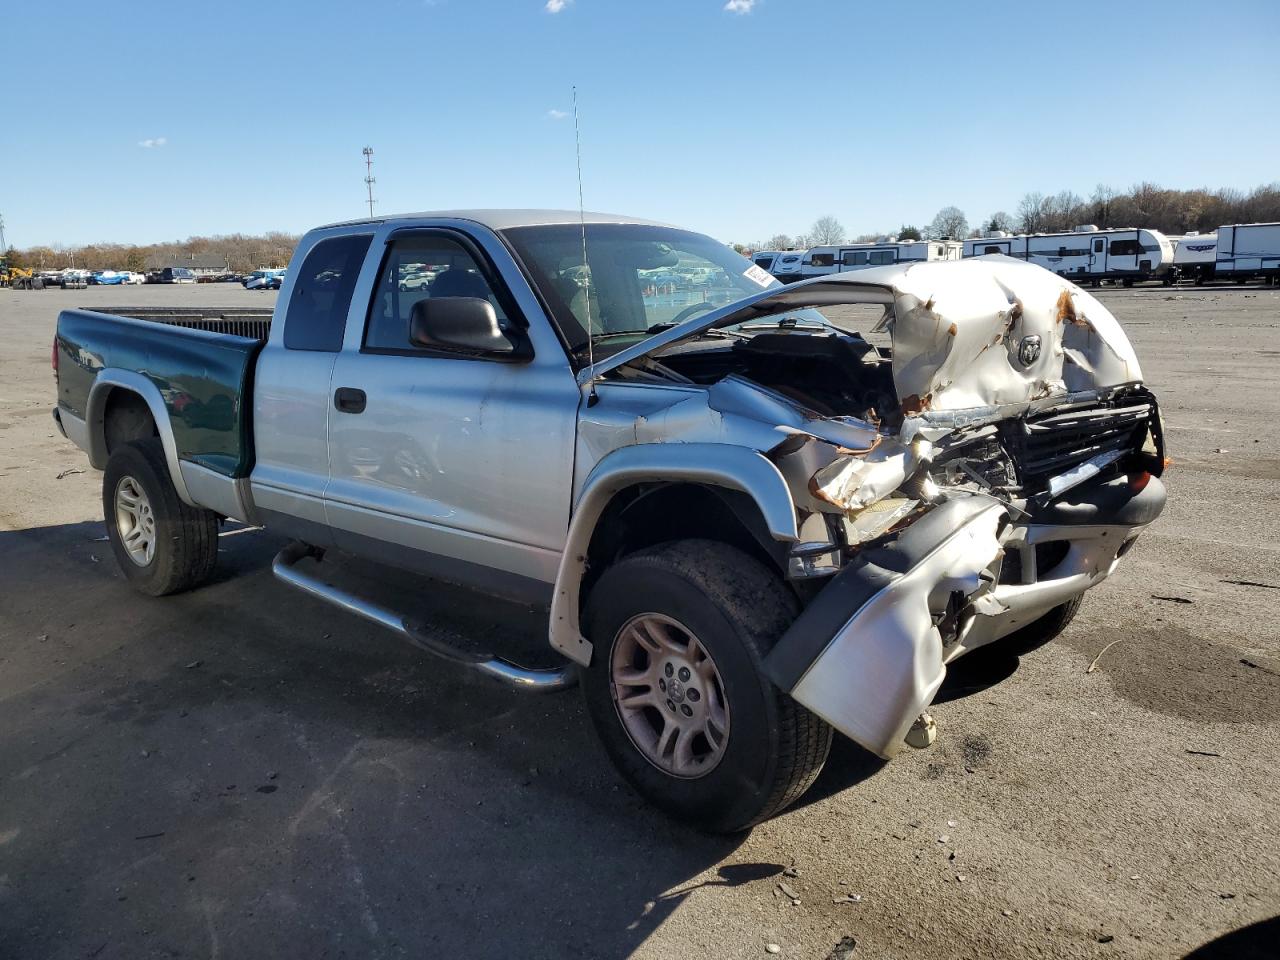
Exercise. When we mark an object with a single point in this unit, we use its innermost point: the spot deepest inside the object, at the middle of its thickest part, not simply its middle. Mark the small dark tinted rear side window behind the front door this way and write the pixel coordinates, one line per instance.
(317, 316)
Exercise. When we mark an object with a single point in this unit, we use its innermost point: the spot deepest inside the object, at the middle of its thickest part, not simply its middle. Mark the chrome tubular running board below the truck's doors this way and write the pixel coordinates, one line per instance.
(285, 568)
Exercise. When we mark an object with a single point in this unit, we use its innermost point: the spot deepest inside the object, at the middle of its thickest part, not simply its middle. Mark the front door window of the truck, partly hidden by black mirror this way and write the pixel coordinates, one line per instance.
(419, 268)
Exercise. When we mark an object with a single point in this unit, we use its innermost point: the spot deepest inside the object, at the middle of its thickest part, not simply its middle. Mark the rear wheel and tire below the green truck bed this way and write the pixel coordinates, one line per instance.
(184, 540)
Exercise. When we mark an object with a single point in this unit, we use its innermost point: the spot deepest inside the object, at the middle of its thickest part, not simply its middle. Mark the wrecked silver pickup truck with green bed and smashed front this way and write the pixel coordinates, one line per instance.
(751, 528)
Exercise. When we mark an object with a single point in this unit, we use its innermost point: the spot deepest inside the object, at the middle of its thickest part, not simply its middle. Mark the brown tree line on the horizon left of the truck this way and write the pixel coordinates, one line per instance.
(240, 253)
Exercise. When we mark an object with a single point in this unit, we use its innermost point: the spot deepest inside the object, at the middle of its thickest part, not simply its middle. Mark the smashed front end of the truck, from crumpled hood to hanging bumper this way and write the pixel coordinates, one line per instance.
(989, 469)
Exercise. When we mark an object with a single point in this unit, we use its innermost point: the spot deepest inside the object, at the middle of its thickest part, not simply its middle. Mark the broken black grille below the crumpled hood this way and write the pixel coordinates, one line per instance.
(1048, 446)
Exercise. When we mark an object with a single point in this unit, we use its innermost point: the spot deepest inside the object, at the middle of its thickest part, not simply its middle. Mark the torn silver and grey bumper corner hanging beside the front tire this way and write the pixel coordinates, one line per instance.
(867, 655)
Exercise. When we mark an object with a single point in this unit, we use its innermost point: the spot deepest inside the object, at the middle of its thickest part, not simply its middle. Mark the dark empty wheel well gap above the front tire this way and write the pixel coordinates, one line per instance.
(647, 515)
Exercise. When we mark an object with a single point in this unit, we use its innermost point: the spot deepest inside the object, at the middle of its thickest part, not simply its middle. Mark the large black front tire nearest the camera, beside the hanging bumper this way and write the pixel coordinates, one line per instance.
(772, 748)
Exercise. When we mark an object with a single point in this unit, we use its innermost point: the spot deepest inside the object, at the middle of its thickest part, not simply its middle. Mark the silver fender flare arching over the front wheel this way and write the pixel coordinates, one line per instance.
(710, 464)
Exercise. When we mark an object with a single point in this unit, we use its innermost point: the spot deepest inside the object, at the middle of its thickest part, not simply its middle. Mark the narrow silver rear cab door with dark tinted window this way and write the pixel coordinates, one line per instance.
(291, 387)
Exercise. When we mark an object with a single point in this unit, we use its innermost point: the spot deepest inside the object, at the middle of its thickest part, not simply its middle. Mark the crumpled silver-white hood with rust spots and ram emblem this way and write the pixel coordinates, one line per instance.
(964, 332)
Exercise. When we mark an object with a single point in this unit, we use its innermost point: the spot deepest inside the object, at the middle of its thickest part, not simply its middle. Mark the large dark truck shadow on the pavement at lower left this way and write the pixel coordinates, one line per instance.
(243, 771)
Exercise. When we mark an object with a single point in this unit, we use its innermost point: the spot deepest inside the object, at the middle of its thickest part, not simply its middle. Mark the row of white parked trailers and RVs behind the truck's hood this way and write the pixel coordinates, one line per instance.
(1087, 254)
